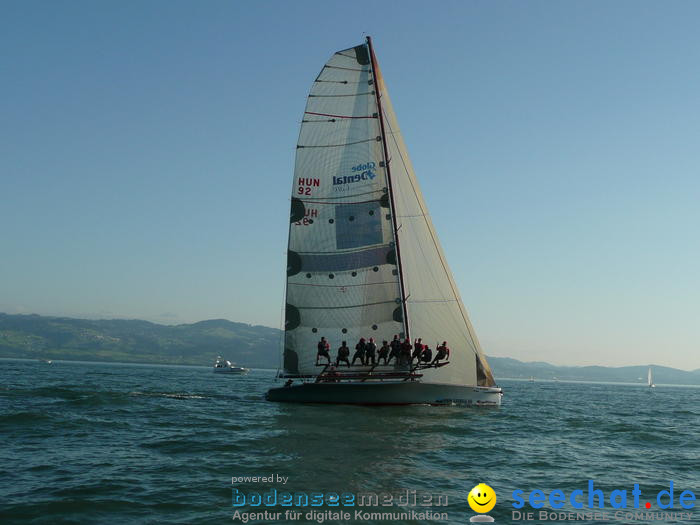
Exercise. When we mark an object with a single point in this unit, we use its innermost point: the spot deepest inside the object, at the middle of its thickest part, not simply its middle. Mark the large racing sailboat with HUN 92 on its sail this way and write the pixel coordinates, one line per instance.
(364, 260)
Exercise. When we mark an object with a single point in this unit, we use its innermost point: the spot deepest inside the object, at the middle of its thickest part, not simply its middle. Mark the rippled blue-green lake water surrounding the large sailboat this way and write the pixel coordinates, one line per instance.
(104, 443)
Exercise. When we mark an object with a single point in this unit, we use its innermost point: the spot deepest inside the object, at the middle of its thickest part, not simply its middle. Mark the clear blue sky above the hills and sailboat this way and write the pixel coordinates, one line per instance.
(147, 148)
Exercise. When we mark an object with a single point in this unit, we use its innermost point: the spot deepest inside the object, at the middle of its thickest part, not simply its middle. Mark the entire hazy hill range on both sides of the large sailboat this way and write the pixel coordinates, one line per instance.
(34, 336)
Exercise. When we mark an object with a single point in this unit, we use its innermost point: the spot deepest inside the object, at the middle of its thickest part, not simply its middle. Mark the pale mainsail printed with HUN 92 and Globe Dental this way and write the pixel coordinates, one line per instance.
(342, 278)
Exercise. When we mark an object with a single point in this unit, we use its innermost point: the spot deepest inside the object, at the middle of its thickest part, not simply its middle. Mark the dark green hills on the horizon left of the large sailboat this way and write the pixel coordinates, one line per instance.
(34, 336)
